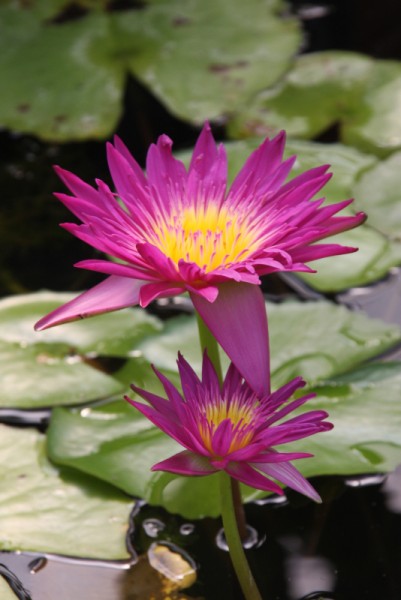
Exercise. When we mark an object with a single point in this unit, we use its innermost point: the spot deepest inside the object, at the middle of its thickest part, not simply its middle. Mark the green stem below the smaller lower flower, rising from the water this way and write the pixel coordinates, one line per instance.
(233, 540)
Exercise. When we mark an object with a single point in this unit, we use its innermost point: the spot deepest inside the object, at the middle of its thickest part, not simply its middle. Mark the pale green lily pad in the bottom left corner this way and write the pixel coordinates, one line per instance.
(45, 509)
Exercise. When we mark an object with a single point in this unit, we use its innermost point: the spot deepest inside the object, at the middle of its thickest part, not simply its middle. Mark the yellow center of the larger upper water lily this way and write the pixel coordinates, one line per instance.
(210, 237)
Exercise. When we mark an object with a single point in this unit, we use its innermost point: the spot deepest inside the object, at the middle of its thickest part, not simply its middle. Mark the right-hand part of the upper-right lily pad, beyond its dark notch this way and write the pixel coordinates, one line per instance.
(376, 126)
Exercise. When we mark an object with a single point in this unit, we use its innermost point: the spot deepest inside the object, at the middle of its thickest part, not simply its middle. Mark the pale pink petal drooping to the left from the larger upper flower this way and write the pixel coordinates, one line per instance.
(112, 294)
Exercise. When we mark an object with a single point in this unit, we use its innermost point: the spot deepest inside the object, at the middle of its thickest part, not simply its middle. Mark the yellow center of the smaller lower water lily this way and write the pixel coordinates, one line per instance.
(240, 415)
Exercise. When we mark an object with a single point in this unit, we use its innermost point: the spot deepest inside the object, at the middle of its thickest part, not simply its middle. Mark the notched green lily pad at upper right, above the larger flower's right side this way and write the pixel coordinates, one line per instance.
(327, 88)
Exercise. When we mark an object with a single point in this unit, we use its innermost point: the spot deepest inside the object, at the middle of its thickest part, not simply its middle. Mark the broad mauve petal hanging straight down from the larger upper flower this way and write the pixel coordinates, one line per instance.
(237, 319)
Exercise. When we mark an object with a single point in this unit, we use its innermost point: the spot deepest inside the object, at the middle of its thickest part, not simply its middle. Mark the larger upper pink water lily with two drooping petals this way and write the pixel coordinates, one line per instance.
(177, 230)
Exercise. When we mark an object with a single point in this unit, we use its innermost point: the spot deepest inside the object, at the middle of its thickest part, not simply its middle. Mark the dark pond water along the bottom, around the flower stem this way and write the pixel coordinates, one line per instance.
(348, 548)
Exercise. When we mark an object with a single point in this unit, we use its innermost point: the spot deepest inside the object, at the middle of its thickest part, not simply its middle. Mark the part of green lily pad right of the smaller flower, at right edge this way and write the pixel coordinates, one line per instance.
(364, 407)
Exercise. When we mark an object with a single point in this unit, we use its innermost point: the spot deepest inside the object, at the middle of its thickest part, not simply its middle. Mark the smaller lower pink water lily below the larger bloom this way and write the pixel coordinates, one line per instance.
(228, 427)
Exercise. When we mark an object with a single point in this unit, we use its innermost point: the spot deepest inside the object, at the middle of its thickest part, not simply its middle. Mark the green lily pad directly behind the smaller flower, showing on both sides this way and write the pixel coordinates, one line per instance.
(120, 447)
